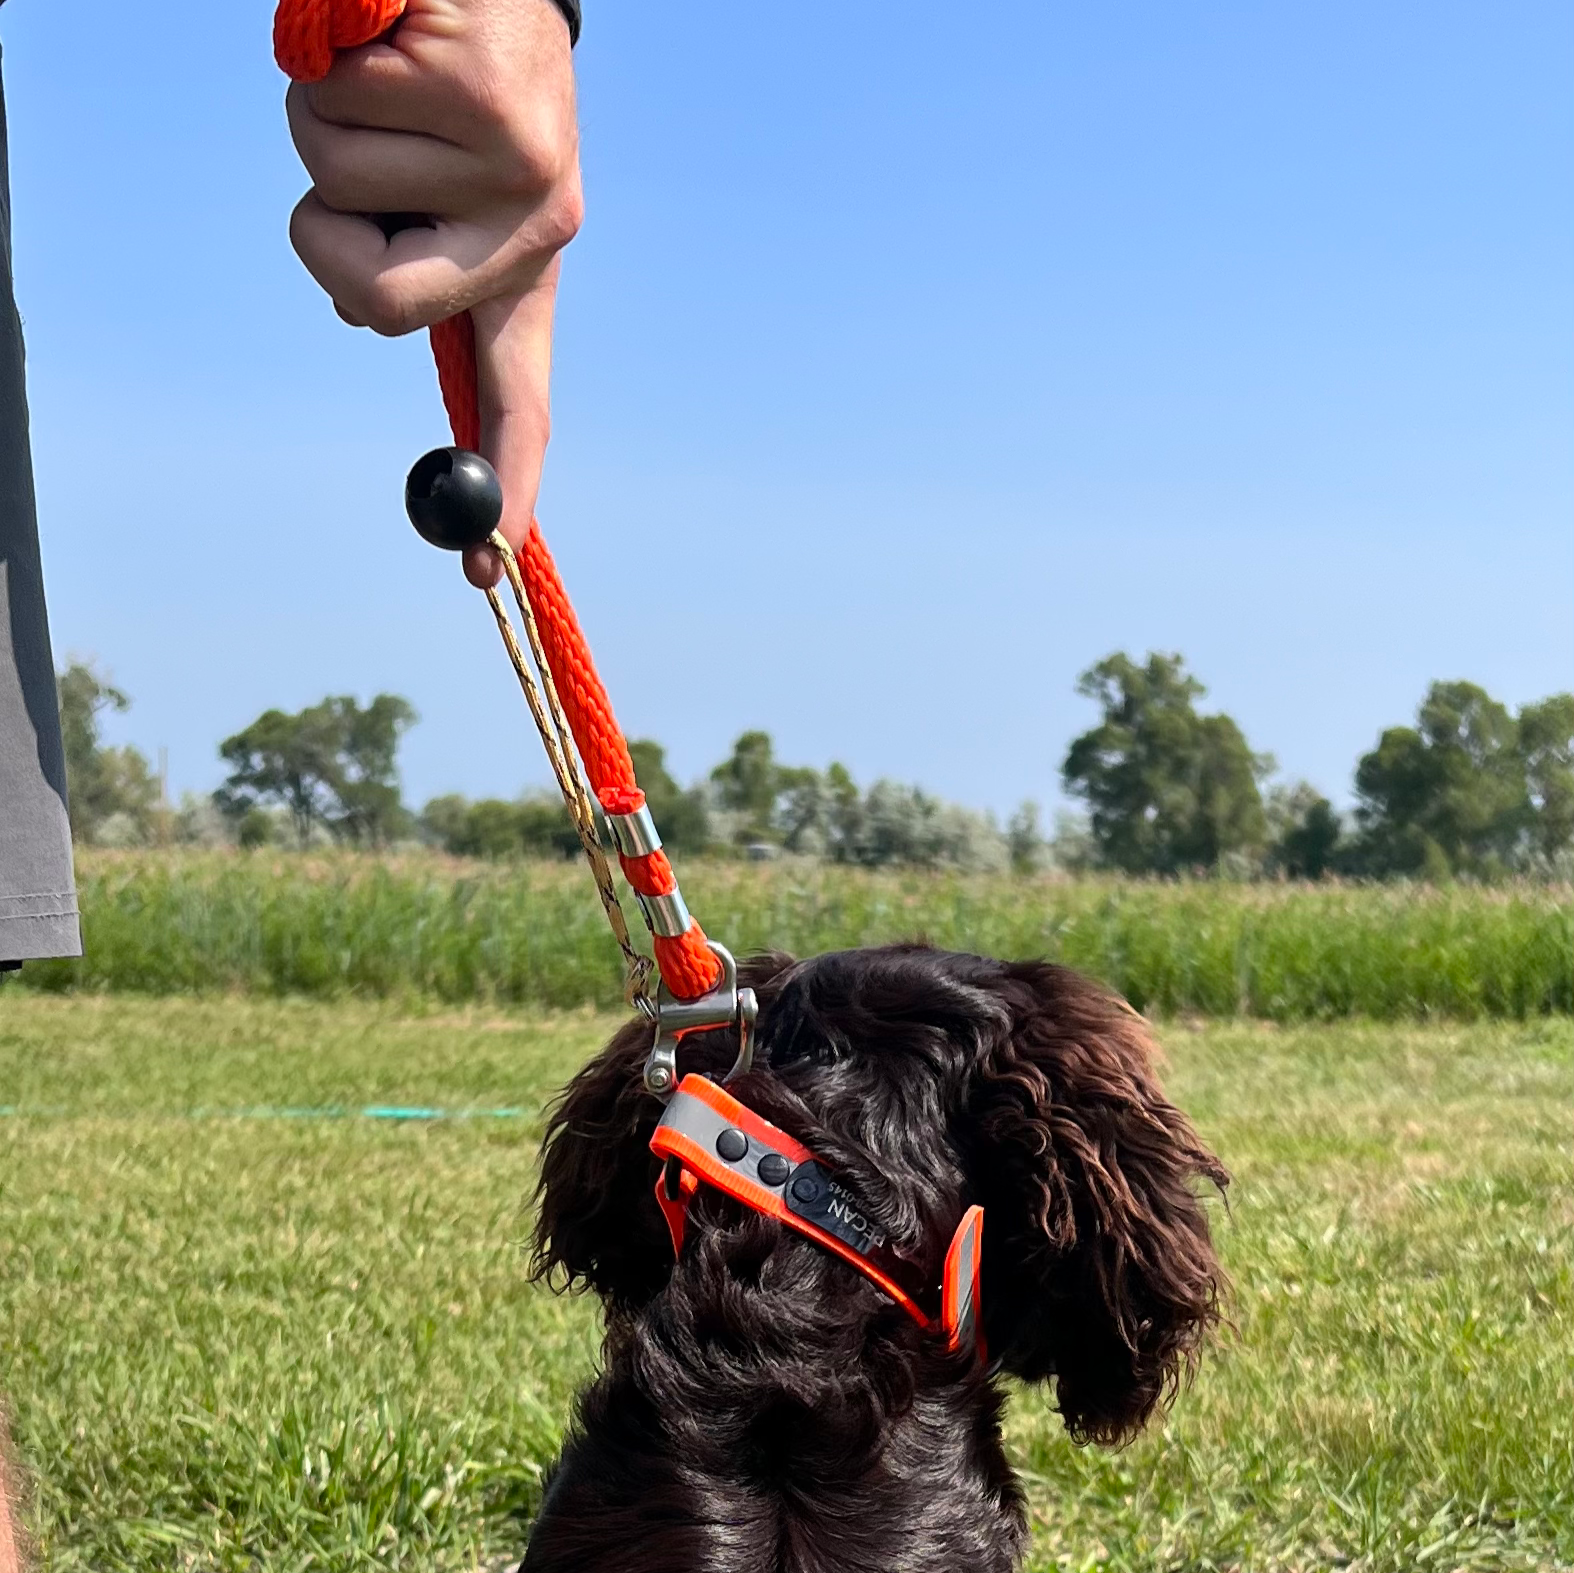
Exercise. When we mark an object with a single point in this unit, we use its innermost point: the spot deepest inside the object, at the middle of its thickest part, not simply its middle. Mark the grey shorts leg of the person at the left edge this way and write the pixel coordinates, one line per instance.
(39, 900)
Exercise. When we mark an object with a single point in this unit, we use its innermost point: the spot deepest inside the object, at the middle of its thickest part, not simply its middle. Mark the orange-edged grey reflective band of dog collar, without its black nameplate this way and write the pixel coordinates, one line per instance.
(695, 1120)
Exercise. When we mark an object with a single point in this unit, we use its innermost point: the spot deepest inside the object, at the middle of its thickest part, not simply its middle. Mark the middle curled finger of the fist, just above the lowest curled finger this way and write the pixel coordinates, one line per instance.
(358, 171)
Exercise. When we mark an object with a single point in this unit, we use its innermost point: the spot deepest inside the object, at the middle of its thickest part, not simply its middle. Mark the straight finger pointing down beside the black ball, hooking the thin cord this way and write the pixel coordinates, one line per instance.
(514, 365)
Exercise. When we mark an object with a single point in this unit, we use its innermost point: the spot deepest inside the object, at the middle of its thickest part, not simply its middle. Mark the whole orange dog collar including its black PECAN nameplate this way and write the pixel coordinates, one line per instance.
(708, 1136)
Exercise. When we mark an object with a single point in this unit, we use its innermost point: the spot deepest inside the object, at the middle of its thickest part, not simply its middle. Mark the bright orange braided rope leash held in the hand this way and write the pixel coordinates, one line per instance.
(306, 35)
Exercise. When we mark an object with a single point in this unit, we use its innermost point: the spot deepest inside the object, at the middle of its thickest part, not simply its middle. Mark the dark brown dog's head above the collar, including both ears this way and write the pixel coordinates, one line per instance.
(931, 1081)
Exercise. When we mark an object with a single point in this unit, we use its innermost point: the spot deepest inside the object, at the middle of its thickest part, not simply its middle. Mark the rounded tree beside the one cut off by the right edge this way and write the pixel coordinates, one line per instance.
(1446, 796)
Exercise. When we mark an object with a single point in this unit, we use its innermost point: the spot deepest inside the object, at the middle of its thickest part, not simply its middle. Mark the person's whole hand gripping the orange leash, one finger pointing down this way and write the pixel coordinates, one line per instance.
(460, 124)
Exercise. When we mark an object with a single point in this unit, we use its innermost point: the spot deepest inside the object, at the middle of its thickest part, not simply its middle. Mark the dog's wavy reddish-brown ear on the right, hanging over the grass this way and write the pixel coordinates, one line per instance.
(1099, 1271)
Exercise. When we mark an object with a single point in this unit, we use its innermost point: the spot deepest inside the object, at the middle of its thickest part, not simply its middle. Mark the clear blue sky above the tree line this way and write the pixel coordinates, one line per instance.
(909, 363)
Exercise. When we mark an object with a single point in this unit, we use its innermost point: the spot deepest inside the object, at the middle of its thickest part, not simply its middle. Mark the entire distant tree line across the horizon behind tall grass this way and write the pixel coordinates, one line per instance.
(1469, 790)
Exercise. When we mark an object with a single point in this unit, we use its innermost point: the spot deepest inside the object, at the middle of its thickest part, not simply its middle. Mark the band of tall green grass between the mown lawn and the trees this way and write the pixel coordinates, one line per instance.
(533, 935)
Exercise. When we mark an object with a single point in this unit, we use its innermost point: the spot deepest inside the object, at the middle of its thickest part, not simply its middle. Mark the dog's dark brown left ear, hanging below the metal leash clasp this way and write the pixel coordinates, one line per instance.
(599, 1226)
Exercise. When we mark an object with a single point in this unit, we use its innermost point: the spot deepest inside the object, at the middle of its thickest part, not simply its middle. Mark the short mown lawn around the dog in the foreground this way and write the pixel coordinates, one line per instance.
(283, 1344)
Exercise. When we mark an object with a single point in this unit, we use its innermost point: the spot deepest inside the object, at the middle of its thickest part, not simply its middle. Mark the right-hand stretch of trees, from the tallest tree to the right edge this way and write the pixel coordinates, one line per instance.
(1468, 790)
